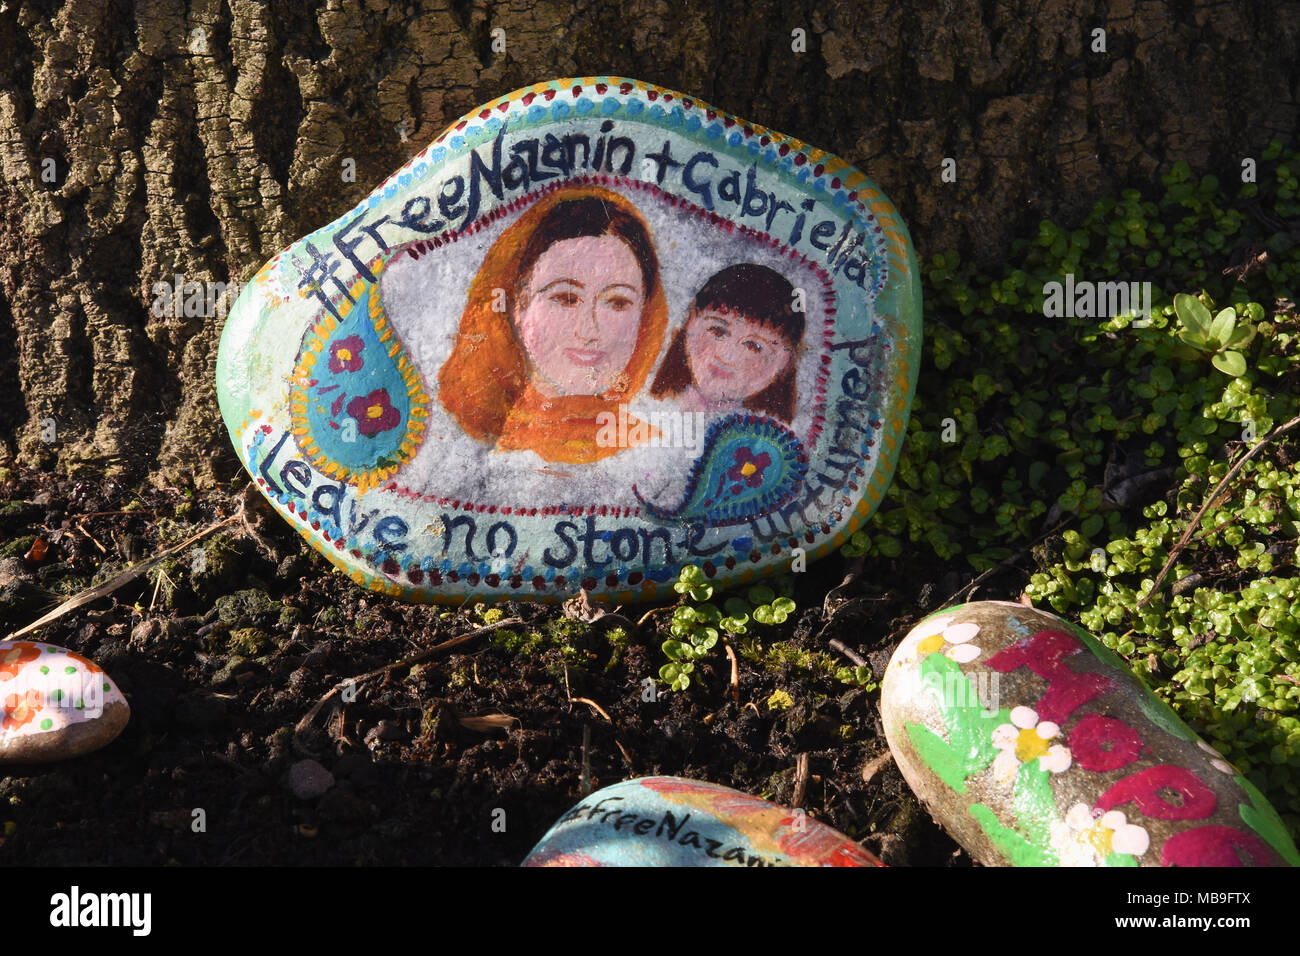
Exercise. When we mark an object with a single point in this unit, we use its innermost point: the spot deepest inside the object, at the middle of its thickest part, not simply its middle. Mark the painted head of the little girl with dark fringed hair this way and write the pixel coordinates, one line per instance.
(739, 348)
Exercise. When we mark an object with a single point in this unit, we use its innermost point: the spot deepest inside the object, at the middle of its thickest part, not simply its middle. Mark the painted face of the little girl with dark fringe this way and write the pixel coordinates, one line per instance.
(733, 357)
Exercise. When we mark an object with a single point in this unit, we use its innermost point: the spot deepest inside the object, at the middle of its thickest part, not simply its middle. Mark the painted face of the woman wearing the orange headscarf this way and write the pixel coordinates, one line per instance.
(582, 312)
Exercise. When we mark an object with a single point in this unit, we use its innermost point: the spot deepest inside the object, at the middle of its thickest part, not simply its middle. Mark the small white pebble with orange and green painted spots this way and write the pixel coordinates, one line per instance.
(57, 704)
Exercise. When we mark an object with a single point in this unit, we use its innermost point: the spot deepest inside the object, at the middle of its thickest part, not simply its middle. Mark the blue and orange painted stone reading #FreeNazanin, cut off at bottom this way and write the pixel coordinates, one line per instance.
(669, 821)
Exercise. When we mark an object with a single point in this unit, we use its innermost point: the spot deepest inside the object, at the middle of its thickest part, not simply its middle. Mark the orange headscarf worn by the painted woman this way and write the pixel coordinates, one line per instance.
(486, 383)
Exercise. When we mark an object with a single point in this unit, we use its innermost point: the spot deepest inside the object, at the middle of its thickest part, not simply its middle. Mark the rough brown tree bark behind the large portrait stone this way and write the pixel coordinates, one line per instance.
(200, 137)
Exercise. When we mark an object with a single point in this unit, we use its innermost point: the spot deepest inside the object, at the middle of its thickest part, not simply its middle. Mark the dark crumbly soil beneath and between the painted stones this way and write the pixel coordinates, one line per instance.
(222, 656)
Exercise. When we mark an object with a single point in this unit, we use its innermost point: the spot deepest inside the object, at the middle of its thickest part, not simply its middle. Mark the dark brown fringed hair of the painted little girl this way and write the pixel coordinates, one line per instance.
(757, 293)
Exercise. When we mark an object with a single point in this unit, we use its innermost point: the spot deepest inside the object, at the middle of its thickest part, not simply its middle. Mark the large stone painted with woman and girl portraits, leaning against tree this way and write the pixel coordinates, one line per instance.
(596, 331)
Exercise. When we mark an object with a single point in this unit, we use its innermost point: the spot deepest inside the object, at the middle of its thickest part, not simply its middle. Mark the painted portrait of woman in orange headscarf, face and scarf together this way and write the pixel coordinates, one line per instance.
(565, 321)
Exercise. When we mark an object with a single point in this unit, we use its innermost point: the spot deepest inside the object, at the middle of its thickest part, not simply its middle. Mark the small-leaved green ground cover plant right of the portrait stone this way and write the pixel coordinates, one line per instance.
(1077, 452)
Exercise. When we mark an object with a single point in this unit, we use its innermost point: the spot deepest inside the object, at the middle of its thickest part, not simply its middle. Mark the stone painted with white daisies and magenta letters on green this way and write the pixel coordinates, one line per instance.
(1035, 746)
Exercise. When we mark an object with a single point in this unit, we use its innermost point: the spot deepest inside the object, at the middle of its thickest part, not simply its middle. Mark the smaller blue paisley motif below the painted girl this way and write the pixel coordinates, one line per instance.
(749, 466)
